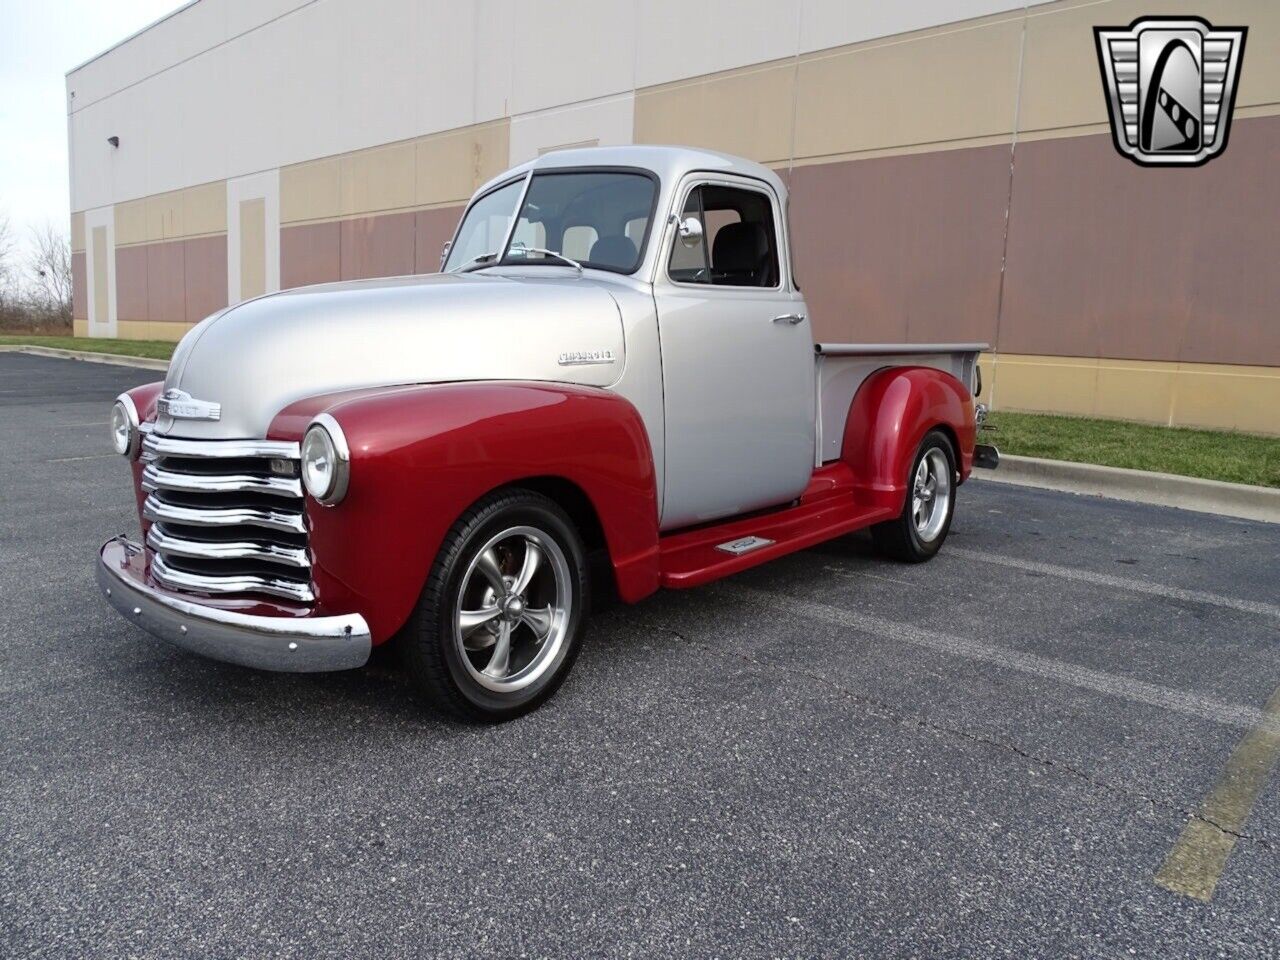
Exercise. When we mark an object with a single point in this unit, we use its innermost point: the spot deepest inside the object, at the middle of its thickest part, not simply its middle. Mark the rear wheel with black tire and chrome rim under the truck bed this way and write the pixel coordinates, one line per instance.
(920, 531)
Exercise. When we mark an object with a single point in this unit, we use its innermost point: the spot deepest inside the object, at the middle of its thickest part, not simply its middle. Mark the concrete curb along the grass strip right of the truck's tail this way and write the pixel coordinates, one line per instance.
(1163, 490)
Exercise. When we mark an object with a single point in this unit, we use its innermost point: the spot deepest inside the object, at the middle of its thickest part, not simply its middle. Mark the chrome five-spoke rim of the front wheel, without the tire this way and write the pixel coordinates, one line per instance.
(513, 609)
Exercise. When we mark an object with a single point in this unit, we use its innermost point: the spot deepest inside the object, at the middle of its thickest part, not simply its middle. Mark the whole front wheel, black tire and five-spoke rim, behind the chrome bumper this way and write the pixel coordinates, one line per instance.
(501, 619)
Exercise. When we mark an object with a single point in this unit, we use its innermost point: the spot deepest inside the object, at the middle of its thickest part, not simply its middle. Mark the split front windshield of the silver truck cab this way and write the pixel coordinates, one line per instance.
(597, 218)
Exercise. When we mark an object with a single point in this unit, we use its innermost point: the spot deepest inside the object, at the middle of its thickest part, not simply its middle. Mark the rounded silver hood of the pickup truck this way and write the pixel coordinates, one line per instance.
(258, 358)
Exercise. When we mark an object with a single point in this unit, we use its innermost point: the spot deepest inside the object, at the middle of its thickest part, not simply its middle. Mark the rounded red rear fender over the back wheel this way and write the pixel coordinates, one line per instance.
(889, 418)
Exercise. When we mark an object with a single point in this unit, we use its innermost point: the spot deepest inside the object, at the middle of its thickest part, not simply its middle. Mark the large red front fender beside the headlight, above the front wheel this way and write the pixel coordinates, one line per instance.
(422, 455)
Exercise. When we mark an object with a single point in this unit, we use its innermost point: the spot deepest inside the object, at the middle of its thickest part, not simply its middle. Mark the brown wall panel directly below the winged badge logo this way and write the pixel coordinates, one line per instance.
(1108, 259)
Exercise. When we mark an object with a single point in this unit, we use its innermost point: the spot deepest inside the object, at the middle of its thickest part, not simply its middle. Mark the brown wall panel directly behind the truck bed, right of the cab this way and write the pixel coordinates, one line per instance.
(902, 249)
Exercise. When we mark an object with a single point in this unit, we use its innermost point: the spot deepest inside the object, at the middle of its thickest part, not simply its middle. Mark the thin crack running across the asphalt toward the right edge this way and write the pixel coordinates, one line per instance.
(892, 714)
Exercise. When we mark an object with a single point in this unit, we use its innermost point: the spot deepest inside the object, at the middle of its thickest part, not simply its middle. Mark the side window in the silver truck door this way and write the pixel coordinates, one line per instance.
(739, 246)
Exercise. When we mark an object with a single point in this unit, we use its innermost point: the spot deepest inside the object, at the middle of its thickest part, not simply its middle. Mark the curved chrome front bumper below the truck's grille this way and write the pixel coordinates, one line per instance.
(292, 644)
